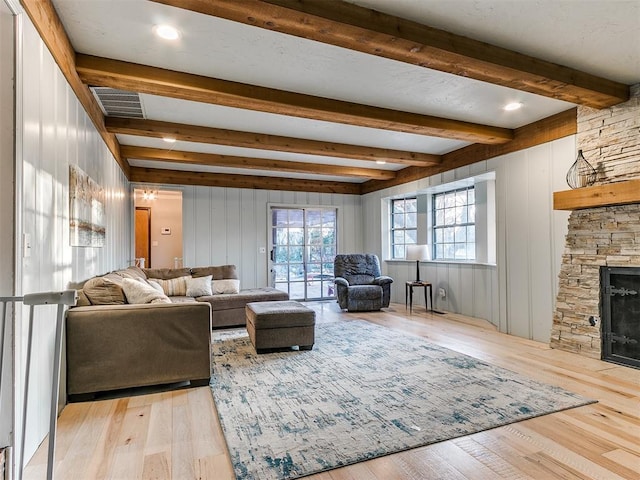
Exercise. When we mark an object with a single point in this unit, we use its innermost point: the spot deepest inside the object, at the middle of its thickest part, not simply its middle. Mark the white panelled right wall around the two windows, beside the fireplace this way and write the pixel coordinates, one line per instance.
(516, 294)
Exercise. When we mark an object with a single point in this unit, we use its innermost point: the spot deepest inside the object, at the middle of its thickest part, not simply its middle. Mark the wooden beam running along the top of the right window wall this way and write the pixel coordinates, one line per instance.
(546, 130)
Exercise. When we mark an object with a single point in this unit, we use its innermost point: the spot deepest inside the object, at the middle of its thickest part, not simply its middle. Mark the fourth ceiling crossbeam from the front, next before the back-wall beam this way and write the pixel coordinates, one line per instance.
(216, 160)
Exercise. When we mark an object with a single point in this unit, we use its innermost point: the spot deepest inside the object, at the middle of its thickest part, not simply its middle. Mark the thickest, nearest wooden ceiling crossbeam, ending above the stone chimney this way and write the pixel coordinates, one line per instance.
(357, 28)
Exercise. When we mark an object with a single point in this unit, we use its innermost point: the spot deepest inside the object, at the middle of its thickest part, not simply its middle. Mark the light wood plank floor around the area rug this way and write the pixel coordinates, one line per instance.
(176, 435)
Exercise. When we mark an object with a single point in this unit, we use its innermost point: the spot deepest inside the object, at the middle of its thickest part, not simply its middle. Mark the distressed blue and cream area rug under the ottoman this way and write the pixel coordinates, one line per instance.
(364, 391)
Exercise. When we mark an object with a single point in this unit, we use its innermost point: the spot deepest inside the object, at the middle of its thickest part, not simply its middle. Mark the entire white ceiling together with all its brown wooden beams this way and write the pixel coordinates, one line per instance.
(335, 96)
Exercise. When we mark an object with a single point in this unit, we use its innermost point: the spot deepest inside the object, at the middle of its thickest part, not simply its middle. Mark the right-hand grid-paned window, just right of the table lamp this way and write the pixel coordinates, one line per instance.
(454, 230)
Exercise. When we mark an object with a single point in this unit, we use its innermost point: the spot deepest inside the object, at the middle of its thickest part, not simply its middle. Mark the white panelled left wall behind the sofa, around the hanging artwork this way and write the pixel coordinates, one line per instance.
(54, 133)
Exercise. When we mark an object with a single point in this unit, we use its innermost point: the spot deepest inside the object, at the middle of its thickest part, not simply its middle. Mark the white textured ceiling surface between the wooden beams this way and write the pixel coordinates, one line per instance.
(597, 37)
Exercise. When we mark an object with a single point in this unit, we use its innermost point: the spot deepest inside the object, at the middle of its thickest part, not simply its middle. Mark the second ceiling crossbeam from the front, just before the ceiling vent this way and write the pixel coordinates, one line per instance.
(134, 77)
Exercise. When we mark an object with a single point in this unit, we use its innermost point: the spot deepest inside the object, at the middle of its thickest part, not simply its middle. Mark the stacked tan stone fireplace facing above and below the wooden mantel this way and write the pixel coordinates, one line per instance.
(605, 236)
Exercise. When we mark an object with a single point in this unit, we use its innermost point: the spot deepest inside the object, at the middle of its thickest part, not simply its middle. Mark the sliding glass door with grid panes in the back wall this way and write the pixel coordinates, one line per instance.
(303, 248)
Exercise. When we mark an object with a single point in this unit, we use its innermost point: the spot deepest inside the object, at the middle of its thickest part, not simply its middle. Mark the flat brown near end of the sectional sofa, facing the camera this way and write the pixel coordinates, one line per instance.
(123, 346)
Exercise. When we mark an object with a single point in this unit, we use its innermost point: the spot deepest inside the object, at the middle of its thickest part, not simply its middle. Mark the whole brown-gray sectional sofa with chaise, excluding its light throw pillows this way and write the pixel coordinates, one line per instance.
(113, 344)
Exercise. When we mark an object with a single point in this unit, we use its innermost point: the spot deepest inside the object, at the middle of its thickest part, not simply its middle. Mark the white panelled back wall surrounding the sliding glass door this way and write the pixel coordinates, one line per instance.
(229, 225)
